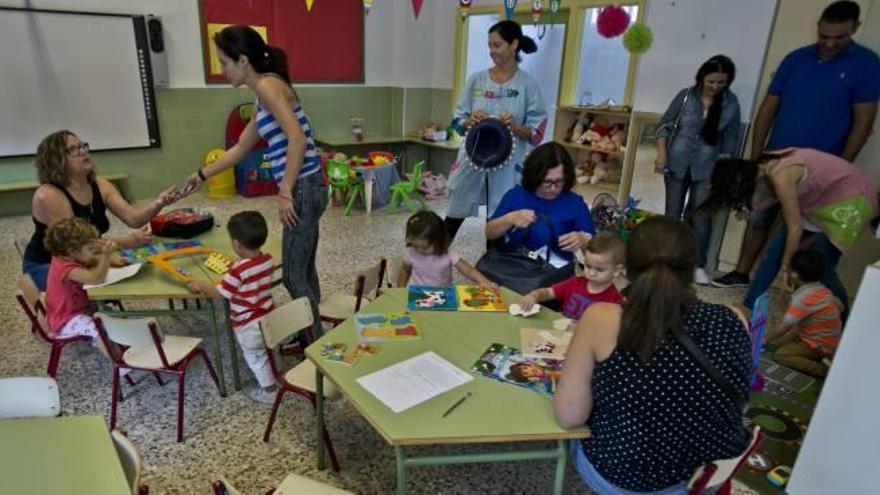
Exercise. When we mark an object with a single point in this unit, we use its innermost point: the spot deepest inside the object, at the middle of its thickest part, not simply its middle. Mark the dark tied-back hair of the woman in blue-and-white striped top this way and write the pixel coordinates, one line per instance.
(235, 41)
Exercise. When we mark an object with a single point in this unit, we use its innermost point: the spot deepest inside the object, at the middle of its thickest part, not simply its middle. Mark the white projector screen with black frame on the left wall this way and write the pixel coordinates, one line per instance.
(89, 73)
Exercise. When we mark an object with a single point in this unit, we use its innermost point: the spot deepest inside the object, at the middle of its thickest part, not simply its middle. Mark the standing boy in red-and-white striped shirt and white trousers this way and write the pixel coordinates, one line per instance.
(247, 285)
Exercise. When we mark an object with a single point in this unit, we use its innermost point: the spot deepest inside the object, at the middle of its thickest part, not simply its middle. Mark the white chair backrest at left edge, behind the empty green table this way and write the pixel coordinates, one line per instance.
(29, 396)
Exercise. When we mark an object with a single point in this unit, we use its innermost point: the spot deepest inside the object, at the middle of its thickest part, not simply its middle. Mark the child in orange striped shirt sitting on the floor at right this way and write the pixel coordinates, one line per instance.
(811, 327)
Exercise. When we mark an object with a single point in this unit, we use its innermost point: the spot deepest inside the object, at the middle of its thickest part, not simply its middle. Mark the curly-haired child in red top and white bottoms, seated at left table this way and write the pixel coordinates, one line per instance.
(79, 256)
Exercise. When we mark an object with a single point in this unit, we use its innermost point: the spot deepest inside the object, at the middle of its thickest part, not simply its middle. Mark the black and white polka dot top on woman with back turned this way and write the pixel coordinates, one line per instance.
(653, 425)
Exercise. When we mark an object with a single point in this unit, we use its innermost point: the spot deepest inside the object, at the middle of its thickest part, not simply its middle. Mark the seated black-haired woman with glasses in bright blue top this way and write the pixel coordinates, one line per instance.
(543, 211)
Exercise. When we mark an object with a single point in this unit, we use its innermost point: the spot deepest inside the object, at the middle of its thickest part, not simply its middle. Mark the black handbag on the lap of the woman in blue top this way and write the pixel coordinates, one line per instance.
(520, 270)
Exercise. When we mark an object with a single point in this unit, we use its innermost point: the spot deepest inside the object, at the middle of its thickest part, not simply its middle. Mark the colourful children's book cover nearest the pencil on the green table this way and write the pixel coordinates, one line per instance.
(508, 365)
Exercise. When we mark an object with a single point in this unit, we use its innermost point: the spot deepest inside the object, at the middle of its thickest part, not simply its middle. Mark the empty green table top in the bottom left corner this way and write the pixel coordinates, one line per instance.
(69, 455)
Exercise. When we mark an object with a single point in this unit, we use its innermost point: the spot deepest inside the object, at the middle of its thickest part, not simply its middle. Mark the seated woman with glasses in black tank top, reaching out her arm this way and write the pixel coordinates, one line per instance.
(69, 188)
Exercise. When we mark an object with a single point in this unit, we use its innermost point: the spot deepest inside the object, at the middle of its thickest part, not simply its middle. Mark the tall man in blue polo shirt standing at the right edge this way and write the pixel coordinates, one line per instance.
(823, 96)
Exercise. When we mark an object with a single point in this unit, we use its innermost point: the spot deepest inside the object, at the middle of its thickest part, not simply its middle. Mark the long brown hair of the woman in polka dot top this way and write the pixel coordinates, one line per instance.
(660, 257)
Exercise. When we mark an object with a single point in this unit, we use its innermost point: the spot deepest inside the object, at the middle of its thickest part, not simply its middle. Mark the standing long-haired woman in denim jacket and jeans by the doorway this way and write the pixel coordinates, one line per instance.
(700, 126)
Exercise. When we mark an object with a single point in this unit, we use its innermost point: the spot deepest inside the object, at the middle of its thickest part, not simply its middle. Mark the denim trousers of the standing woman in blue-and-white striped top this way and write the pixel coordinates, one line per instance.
(300, 244)
